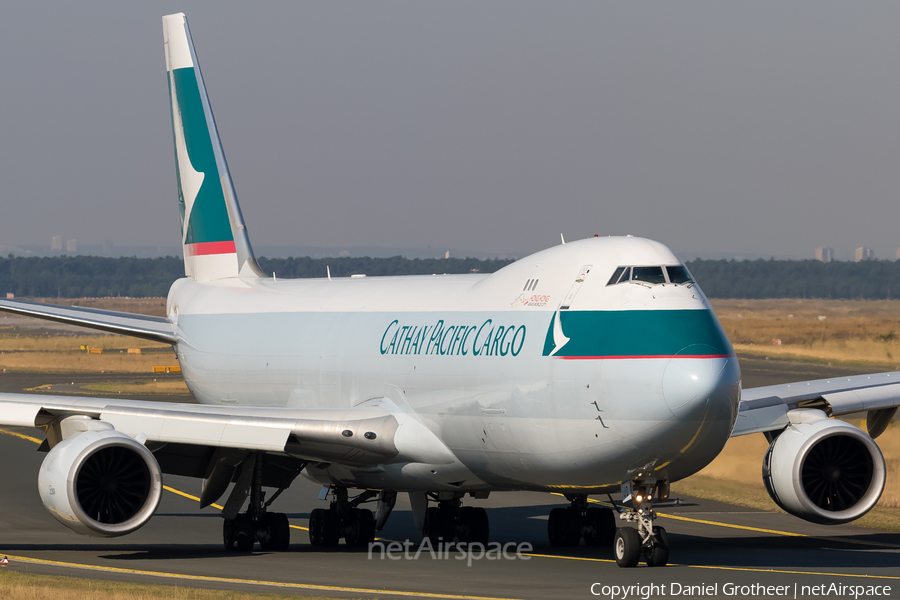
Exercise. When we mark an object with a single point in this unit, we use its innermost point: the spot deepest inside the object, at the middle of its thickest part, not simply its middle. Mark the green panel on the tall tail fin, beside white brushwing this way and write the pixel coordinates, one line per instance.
(209, 217)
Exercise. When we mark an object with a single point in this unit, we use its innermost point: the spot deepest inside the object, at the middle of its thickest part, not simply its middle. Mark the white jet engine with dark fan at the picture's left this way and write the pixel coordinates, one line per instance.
(100, 483)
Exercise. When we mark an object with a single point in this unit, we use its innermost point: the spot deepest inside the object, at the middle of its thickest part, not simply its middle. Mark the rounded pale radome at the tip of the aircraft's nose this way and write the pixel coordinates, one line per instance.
(697, 380)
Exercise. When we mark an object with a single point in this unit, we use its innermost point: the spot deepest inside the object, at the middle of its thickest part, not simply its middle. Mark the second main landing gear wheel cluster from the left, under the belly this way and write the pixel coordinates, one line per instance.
(344, 520)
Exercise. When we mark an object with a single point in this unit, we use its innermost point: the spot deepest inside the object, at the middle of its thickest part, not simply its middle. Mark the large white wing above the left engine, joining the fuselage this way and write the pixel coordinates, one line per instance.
(361, 435)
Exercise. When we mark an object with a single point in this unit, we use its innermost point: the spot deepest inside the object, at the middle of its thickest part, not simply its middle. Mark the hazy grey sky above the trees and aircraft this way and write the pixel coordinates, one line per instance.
(754, 127)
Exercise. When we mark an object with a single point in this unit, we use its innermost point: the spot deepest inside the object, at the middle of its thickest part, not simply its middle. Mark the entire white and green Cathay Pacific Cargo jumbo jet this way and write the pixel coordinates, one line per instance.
(593, 367)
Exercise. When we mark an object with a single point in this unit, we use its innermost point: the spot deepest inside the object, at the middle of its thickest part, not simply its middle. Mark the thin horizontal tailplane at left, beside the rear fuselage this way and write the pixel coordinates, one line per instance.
(158, 329)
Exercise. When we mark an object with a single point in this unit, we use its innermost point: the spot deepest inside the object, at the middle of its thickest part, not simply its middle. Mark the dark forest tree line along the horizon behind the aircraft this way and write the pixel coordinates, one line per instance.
(94, 276)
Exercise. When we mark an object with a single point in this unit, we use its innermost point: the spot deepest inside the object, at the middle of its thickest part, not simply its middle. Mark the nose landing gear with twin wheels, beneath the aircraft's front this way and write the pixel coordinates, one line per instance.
(647, 541)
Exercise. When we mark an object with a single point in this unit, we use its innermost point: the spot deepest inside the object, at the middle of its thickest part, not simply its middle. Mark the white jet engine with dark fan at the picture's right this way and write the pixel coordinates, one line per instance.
(823, 470)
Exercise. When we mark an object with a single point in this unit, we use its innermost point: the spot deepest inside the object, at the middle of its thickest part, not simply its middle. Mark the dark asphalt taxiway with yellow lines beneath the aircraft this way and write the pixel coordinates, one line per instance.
(713, 544)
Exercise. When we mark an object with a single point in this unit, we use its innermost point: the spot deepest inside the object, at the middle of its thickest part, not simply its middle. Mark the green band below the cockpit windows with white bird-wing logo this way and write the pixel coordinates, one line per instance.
(639, 334)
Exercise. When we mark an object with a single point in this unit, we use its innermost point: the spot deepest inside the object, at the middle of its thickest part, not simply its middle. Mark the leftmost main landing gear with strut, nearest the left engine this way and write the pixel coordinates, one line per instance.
(271, 530)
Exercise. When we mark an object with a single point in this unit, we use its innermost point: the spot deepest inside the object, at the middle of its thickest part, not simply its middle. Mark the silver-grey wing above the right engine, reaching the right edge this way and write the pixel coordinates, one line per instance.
(765, 408)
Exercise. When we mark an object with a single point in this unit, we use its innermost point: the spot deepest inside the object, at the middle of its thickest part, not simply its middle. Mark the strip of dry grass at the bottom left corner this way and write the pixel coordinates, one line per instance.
(25, 586)
